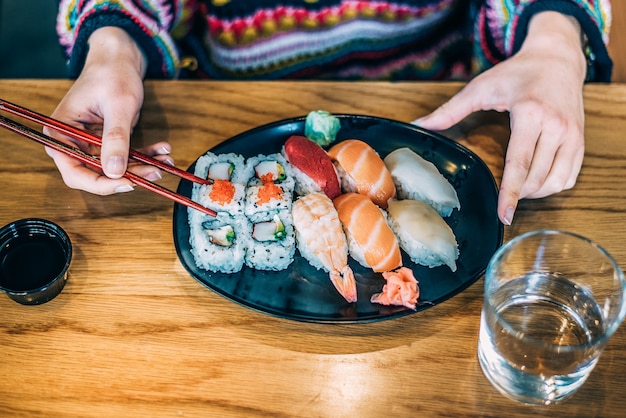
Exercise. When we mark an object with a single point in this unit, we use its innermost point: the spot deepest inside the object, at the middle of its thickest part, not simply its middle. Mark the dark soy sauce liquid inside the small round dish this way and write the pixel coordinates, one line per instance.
(30, 262)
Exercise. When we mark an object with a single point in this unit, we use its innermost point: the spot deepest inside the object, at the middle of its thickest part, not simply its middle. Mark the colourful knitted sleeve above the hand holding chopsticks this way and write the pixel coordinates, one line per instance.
(149, 22)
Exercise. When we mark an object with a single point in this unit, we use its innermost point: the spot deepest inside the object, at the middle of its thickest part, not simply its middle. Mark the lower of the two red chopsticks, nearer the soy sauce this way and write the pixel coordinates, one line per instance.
(95, 163)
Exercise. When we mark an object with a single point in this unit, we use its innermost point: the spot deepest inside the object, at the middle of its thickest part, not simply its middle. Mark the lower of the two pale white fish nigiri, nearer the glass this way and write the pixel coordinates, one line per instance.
(423, 233)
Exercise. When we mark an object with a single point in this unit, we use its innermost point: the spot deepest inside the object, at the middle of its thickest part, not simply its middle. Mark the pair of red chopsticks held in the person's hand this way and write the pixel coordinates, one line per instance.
(94, 162)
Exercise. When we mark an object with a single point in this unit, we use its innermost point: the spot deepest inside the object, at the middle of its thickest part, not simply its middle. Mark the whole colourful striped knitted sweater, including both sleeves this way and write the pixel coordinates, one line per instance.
(326, 39)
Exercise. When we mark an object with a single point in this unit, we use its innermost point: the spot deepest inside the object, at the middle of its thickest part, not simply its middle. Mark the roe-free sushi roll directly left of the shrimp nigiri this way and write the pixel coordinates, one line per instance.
(272, 242)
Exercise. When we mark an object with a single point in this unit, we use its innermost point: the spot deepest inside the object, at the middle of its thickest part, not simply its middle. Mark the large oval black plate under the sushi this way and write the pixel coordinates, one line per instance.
(303, 293)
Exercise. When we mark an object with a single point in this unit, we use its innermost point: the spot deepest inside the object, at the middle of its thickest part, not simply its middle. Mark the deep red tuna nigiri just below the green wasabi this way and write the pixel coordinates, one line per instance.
(312, 168)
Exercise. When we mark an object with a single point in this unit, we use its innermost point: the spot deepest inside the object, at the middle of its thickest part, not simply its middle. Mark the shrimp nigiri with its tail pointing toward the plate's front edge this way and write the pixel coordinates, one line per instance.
(321, 240)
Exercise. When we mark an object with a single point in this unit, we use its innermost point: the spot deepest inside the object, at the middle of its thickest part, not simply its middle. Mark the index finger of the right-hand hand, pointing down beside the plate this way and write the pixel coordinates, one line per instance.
(518, 160)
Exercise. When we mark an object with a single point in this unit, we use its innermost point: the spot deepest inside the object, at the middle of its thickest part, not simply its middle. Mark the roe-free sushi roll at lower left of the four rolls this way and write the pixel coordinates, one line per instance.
(219, 244)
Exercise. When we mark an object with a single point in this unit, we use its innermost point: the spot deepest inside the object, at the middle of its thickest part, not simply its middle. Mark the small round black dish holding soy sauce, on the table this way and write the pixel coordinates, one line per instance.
(35, 256)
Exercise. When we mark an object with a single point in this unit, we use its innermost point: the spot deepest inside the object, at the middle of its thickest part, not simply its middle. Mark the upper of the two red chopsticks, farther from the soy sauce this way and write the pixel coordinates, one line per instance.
(77, 133)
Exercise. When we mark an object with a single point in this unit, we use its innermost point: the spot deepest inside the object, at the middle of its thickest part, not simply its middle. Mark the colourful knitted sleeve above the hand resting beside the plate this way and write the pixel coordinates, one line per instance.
(500, 28)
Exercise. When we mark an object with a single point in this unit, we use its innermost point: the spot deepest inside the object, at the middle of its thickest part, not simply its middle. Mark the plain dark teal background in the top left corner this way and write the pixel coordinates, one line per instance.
(29, 46)
